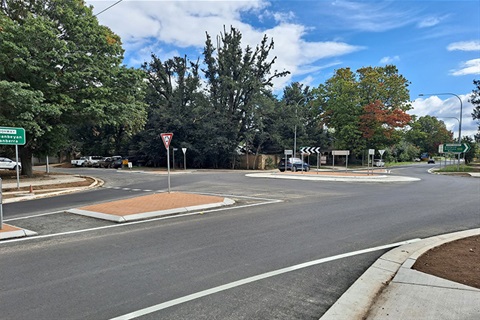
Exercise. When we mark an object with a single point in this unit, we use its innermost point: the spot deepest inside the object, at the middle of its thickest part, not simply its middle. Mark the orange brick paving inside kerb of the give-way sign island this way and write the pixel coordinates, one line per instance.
(154, 202)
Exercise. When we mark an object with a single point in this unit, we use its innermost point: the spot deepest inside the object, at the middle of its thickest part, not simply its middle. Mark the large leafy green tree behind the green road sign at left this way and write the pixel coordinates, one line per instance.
(58, 49)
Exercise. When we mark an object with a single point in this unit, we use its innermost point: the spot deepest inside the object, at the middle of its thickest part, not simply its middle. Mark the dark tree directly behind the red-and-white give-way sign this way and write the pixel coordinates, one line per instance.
(176, 103)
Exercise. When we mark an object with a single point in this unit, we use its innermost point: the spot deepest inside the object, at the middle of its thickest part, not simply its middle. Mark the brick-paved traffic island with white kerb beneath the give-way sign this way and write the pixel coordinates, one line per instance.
(151, 206)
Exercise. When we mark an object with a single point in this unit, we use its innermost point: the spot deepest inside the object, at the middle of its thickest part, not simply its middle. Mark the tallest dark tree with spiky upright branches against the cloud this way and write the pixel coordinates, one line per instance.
(236, 79)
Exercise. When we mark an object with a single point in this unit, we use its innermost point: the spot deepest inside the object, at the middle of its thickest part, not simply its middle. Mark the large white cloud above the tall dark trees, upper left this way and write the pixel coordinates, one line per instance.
(162, 27)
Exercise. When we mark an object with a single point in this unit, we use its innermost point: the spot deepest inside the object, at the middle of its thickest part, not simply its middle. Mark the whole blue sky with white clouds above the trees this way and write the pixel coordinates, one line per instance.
(434, 44)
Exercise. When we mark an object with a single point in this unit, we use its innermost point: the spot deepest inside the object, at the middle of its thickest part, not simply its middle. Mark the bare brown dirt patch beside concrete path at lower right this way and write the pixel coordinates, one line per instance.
(457, 261)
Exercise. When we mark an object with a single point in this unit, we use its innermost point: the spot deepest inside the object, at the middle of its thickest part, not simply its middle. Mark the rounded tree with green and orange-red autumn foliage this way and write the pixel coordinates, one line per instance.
(366, 108)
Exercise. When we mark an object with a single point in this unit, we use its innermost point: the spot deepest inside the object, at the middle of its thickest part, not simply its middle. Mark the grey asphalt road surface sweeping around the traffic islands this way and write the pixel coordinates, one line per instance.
(108, 272)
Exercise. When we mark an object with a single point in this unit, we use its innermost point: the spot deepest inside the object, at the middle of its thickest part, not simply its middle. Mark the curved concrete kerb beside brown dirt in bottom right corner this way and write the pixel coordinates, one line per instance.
(356, 302)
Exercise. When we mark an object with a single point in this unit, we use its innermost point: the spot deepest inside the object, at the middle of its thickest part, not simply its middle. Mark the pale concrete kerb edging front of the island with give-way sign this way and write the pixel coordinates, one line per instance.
(151, 214)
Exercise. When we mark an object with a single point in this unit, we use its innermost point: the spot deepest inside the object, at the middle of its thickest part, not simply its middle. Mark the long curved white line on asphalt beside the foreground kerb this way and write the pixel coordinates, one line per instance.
(238, 283)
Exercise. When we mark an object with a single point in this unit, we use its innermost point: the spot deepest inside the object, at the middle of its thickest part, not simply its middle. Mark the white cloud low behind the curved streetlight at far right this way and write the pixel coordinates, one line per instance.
(448, 111)
